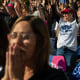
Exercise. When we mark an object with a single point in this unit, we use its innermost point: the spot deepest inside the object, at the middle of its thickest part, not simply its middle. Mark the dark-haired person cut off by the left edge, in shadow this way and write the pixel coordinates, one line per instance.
(4, 30)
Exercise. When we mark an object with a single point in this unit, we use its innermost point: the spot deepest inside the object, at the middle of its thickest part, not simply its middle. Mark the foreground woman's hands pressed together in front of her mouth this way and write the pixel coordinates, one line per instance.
(14, 68)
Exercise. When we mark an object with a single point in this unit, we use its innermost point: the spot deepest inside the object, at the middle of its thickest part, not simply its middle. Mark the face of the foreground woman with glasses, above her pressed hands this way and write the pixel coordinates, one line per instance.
(24, 38)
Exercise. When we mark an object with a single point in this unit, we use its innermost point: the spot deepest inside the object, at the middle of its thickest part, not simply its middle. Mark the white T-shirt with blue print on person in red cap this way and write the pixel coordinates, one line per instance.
(68, 35)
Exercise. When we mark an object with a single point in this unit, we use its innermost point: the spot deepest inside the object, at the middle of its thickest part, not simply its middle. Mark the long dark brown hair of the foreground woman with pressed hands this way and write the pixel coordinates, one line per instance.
(43, 43)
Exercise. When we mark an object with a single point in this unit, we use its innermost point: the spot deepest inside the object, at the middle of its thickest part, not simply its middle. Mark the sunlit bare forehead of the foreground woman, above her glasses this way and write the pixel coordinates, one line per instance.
(23, 26)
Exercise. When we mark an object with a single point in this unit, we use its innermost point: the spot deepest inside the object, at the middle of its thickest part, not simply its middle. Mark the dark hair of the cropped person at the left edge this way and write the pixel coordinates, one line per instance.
(4, 30)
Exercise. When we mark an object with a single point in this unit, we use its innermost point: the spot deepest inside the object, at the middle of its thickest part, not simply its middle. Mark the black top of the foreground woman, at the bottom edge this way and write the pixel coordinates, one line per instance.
(50, 74)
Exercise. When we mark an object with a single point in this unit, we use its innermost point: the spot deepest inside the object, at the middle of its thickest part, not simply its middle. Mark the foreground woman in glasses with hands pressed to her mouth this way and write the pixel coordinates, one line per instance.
(27, 58)
